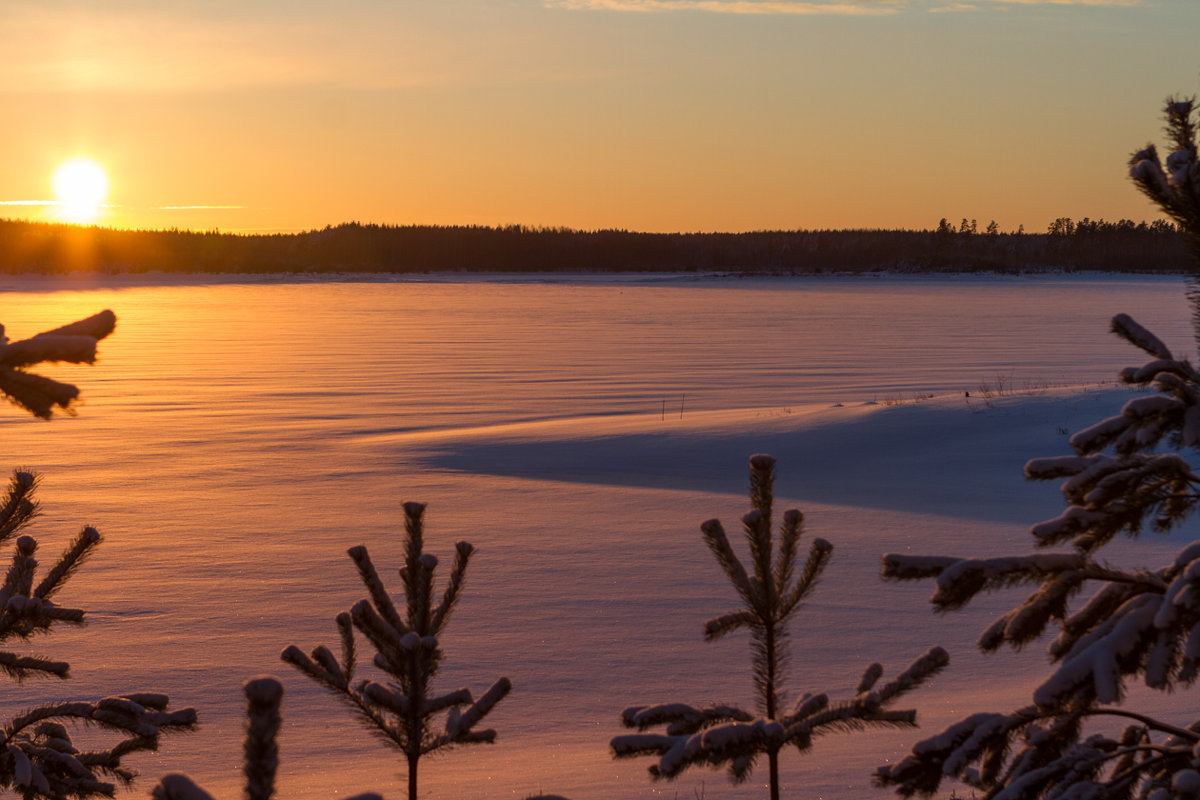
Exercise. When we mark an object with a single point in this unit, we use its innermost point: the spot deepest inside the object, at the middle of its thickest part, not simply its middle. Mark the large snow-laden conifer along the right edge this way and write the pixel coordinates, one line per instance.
(1137, 623)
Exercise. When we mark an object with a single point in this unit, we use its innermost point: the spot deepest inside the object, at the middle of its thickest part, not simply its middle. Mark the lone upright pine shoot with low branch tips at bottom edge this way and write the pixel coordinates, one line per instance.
(265, 696)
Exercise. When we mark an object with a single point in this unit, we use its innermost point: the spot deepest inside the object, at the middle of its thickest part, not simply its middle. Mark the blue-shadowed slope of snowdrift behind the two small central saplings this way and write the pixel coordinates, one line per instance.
(943, 459)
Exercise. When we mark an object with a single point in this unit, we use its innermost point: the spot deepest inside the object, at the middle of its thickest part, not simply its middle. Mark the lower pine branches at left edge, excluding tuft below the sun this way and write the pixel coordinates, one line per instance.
(38, 757)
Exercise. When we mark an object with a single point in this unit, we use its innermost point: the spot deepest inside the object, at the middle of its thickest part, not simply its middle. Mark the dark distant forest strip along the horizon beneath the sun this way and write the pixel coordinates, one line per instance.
(1069, 245)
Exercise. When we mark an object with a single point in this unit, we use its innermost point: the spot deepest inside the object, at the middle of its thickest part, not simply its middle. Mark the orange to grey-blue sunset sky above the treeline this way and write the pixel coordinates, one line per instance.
(659, 116)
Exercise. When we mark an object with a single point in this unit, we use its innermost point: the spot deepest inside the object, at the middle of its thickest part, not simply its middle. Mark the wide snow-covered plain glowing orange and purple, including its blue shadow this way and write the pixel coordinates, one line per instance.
(238, 438)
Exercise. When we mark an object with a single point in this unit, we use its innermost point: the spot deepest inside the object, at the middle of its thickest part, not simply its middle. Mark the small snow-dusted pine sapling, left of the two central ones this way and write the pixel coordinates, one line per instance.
(403, 709)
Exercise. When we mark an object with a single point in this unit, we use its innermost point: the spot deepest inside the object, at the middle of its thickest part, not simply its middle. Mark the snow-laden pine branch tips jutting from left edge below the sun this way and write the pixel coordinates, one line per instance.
(75, 344)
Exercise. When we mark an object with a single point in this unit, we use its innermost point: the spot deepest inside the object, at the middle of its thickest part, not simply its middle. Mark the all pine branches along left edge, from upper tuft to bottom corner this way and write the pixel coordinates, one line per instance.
(38, 755)
